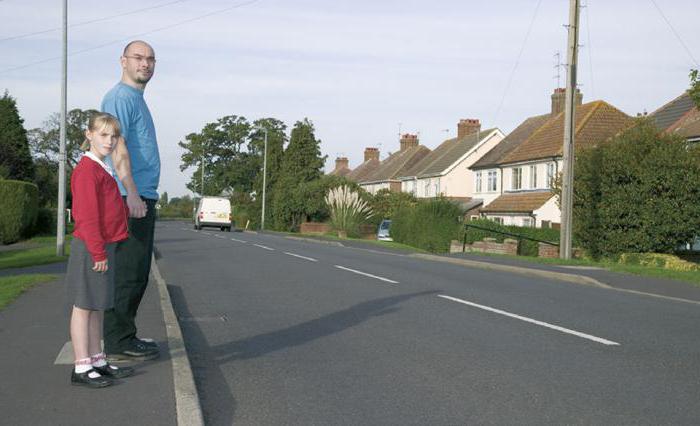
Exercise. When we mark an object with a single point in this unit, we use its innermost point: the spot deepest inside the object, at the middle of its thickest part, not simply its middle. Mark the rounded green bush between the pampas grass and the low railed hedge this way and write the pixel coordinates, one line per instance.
(430, 225)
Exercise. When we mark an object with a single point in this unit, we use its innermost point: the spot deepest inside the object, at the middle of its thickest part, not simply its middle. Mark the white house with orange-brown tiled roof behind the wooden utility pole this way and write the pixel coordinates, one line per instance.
(526, 165)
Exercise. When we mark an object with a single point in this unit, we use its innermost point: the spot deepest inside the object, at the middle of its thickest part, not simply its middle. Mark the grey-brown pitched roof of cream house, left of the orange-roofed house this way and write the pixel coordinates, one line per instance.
(446, 154)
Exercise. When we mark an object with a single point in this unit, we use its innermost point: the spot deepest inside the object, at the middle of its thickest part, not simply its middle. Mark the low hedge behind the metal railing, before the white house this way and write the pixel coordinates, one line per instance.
(527, 247)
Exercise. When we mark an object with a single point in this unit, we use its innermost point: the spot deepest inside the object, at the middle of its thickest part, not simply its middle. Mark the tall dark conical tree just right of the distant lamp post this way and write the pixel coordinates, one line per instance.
(302, 162)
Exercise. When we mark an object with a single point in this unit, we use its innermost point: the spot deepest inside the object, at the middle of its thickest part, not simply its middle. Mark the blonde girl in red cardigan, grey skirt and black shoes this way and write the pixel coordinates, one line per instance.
(100, 222)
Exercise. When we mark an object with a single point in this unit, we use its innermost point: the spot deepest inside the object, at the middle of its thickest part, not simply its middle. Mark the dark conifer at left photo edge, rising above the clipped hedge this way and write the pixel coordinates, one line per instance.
(15, 158)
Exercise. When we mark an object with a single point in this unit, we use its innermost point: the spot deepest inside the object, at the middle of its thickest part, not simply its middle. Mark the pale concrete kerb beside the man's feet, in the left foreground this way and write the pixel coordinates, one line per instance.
(189, 410)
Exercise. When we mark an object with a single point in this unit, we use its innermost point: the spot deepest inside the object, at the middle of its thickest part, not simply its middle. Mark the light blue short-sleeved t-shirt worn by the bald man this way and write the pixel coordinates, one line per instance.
(127, 104)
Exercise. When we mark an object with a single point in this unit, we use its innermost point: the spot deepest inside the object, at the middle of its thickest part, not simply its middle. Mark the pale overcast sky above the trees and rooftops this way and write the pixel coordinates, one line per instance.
(355, 68)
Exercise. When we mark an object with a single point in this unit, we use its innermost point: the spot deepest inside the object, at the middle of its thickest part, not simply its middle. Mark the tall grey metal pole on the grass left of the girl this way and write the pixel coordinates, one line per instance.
(61, 213)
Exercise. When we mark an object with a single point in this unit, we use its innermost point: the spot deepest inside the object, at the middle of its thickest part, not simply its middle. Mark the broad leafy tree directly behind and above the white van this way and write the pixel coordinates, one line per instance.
(221, 146)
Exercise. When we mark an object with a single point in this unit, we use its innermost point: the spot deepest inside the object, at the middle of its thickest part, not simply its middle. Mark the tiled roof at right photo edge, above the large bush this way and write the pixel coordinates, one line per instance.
(679, 116)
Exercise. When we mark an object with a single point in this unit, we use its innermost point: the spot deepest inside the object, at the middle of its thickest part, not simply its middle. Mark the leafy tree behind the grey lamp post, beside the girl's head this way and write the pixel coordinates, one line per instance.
(45, 141)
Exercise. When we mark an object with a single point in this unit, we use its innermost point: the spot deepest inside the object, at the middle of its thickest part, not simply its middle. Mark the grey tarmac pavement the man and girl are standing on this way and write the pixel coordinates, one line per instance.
(36, 360)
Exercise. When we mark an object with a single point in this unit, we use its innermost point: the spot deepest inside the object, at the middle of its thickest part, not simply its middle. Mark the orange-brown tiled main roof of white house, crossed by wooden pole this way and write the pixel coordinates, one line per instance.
(594, 122)
